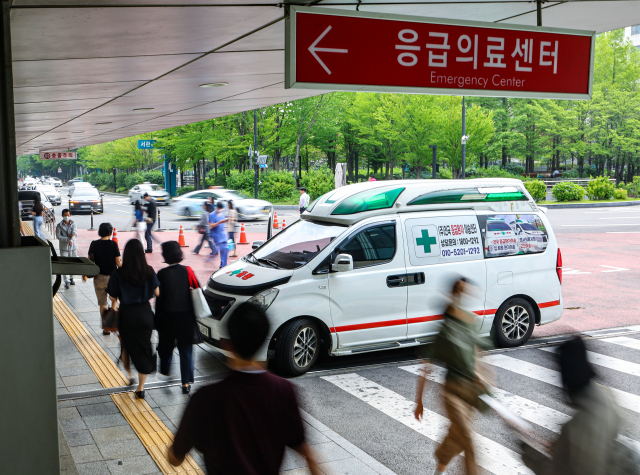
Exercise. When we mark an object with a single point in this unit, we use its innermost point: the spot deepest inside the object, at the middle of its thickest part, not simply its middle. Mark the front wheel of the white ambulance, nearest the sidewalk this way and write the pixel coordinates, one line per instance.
(298, 347)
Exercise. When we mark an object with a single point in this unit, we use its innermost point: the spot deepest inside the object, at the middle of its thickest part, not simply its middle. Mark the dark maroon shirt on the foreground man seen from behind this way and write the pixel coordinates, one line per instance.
(241, 424)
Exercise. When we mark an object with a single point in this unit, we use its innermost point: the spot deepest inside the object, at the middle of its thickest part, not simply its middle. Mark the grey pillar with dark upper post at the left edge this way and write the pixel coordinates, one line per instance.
(28, 400)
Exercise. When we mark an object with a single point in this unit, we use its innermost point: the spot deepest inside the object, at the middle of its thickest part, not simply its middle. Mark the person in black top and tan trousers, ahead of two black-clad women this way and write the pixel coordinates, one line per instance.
(105, 254)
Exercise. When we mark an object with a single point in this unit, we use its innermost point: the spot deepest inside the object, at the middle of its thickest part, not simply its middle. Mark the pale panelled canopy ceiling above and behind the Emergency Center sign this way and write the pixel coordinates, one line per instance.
(81, 67)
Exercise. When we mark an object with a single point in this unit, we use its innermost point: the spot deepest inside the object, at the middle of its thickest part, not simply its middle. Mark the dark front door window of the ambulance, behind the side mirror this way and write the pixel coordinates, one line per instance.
(372, 246)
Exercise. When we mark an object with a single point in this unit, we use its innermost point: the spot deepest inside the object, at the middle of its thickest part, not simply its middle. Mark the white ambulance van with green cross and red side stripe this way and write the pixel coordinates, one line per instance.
(369, 265)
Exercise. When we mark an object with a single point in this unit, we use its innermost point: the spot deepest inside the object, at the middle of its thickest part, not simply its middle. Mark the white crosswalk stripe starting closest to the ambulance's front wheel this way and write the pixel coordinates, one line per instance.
(491, 455)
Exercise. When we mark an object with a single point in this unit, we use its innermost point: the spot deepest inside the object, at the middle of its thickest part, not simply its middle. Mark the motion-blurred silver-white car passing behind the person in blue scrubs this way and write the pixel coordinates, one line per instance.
(190, 204)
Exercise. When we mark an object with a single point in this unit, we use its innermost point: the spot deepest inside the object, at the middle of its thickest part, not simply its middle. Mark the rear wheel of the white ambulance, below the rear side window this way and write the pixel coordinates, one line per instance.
(514, 322)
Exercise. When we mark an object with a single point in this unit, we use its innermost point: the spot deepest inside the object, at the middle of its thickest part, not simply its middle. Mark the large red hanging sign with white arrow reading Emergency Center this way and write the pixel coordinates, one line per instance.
(355, 51)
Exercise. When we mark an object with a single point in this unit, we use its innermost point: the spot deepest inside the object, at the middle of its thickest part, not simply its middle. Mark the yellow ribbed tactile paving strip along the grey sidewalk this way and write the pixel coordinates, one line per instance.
(155, 436)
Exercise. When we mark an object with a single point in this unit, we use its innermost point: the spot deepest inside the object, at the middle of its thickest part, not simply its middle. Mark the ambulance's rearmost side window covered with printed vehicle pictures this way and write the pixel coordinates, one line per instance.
(513, 234)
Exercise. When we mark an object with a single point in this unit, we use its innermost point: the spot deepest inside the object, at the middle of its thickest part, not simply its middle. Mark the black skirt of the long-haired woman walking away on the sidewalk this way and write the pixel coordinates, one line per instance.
(135, 328)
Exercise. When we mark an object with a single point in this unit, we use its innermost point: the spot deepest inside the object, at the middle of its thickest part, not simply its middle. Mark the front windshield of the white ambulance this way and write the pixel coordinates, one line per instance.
(297, 245)
